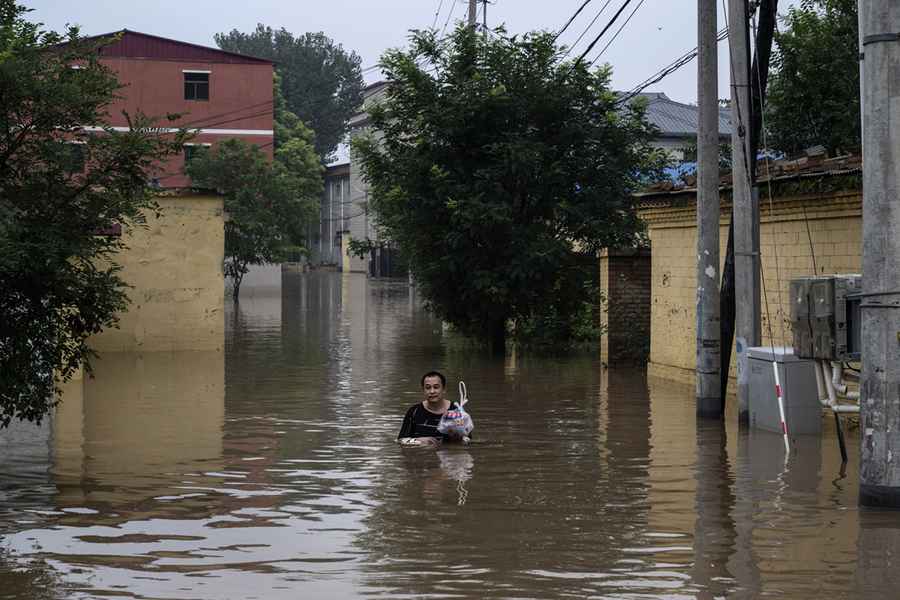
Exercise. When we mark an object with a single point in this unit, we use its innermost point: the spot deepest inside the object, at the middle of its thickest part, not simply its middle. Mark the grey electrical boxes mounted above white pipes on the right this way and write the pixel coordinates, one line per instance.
(825, 316)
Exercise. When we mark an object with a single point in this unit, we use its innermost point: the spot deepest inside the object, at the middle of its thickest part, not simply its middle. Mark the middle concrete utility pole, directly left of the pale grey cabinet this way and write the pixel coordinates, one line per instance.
(746, 206)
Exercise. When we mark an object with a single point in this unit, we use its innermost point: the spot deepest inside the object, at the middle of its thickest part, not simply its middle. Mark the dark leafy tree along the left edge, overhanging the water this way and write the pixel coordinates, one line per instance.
(61, 191)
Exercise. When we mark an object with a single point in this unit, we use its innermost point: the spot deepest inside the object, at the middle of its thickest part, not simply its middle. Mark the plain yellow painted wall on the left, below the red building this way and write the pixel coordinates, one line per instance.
(174, 266)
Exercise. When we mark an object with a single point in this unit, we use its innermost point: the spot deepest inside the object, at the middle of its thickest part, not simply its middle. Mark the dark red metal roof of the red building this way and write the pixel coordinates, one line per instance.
(134, 44)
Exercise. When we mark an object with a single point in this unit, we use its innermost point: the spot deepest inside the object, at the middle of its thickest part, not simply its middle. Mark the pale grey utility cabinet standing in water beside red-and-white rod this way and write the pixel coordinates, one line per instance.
(803, 411)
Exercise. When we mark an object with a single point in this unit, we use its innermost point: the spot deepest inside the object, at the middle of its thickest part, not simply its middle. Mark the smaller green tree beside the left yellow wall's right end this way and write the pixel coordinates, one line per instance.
(268, 202)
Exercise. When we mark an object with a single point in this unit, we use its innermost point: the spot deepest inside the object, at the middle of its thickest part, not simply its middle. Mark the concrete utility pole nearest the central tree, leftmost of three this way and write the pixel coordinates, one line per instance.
(709, 402)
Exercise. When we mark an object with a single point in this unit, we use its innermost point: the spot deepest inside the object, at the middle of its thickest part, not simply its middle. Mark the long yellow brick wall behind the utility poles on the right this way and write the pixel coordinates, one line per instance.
(835, 228)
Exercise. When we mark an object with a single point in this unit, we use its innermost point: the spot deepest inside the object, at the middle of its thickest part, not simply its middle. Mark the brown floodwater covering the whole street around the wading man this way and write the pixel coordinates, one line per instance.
(270, 471)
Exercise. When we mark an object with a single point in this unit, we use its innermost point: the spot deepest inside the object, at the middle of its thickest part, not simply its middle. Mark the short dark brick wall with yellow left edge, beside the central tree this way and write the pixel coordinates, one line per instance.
(625, 283)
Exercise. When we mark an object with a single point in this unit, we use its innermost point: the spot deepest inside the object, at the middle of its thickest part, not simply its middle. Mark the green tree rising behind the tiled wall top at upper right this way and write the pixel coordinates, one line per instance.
(813, 96)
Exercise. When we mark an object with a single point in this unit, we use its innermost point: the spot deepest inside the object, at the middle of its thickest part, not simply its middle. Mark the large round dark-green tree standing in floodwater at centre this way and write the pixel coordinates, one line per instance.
(498, 169)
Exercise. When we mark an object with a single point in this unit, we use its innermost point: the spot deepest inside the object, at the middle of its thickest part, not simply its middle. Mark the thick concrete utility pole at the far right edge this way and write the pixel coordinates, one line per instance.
(879, 470)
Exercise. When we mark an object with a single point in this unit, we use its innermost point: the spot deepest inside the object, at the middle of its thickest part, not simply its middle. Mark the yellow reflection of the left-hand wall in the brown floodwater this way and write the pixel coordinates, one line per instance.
(138, 418)
